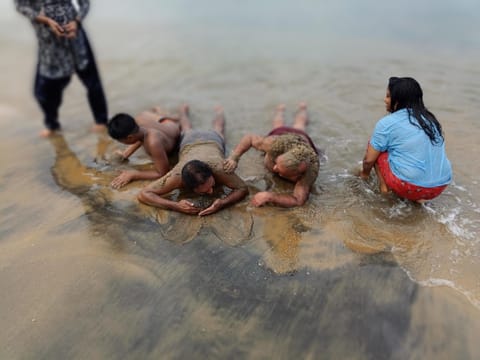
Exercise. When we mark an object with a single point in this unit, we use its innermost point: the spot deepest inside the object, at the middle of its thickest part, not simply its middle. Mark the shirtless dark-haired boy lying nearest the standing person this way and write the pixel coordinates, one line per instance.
(157, 133)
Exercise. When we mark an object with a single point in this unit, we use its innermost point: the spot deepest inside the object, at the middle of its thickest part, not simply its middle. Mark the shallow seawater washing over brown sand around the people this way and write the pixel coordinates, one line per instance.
(88, 272)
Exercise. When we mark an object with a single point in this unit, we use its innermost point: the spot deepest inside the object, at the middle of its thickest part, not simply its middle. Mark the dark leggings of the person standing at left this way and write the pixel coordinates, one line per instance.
(48, 92)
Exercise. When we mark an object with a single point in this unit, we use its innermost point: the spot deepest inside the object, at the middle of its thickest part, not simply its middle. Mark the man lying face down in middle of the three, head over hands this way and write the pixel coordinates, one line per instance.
(199, 169)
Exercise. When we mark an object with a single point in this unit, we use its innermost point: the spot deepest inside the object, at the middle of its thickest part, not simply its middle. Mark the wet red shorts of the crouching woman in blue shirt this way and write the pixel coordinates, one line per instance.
(405, 189)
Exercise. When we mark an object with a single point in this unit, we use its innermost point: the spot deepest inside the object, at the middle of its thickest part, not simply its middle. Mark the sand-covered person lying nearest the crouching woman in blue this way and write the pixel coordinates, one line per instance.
(289, 153)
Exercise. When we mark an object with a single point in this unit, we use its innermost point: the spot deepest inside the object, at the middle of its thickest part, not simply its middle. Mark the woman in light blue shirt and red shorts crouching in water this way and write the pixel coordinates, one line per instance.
(407, 146)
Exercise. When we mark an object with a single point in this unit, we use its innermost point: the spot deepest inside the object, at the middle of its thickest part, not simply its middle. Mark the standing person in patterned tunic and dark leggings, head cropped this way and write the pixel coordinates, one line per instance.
(63, 49)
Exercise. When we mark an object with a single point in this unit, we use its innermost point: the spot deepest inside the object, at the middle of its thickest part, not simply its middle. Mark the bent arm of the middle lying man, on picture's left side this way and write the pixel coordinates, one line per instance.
(153, 195)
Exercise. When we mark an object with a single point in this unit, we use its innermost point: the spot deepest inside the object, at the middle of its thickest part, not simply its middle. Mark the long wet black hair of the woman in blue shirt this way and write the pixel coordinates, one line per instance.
(406, 93)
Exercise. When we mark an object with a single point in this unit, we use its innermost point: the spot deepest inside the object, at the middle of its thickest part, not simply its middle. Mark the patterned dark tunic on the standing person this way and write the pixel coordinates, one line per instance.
(57, 56)
